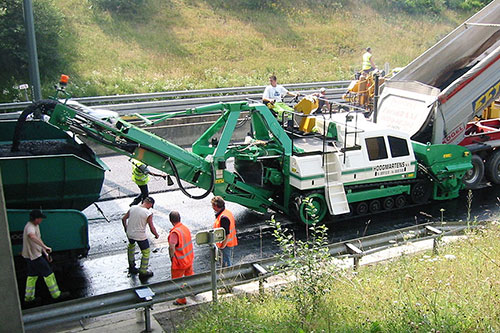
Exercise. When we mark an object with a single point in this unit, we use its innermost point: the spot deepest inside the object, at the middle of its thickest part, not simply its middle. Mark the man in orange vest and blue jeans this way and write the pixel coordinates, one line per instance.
(225, 219)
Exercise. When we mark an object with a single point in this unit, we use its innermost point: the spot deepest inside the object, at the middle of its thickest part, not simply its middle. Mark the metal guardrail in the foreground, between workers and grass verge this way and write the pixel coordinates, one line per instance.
(75, 310)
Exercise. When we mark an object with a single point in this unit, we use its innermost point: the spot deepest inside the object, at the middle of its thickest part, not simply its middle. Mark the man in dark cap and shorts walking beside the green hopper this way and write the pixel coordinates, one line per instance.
(37, 257)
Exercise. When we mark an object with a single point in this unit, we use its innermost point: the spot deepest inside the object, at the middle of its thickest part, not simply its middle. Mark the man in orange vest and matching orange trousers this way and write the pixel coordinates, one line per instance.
(180, 248)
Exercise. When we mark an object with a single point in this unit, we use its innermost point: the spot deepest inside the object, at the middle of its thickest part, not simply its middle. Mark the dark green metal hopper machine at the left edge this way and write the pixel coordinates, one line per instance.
(55, 173)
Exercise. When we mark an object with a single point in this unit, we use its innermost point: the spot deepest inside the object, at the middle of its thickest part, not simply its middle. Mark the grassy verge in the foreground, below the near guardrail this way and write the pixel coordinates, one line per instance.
(456, 291)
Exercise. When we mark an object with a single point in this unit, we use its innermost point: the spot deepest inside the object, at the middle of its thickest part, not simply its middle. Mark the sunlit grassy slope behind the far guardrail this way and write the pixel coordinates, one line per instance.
(192, 44)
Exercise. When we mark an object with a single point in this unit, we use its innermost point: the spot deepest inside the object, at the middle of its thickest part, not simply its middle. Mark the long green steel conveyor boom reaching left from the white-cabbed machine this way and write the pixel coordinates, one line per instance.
(205, 166)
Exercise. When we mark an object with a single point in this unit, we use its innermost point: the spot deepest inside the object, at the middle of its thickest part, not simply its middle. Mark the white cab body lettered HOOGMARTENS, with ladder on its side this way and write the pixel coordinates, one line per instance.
(355, 151)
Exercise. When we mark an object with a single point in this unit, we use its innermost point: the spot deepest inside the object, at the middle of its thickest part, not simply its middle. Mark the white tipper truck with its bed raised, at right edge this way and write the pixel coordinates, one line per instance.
(436, 97)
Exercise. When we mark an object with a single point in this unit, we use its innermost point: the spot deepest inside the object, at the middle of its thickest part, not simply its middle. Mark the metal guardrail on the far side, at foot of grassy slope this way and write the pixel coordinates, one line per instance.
(205, 96)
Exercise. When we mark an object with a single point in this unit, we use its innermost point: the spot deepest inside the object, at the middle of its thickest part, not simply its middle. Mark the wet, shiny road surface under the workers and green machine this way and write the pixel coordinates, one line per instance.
(105, 269)
